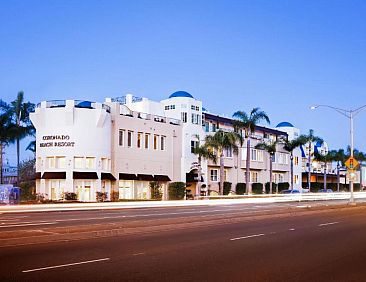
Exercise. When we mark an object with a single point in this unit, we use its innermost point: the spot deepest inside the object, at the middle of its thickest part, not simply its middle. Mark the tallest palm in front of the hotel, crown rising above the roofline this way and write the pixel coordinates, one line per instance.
(248, 123)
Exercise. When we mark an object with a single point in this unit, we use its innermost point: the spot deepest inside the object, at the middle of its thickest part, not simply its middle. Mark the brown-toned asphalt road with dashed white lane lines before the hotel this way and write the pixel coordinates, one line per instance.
(278, 242)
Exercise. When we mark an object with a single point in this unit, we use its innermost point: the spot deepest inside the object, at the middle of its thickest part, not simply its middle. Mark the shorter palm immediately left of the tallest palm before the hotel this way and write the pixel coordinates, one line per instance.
(220, 141)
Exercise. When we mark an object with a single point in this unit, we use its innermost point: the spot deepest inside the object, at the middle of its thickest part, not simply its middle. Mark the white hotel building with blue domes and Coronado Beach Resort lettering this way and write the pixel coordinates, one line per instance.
(125, 143)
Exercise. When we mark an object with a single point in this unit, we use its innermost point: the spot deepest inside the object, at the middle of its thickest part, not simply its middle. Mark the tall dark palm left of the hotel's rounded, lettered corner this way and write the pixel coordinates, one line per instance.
(23, 126)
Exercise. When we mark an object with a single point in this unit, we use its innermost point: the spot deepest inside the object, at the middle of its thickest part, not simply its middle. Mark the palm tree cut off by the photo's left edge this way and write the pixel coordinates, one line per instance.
(6, 132)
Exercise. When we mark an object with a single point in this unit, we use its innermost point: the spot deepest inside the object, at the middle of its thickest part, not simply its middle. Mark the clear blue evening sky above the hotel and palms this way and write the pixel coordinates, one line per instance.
(282, 56)
